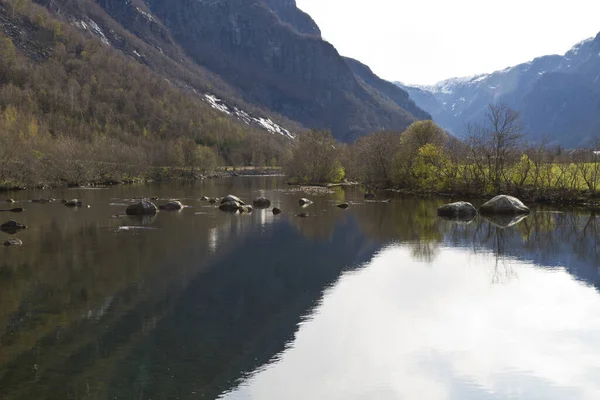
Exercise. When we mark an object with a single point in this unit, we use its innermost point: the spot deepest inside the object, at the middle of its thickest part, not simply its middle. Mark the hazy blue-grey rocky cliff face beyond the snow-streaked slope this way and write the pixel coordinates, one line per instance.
(294, 74)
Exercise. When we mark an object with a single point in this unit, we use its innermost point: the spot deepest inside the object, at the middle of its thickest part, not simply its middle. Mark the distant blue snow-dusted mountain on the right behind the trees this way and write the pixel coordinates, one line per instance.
(558, 96)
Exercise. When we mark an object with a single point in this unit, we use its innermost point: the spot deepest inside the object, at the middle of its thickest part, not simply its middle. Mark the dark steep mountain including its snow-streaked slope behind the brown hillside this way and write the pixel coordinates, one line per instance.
(263, 55)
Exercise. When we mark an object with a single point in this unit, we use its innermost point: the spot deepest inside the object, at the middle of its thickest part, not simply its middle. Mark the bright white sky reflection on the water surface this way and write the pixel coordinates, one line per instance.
(400, 329)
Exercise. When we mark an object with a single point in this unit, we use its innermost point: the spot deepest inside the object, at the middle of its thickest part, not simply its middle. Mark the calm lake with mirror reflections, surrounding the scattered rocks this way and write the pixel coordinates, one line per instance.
(381, 301)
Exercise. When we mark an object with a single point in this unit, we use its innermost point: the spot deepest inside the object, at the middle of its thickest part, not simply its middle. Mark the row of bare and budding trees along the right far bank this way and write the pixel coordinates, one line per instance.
(493, 158)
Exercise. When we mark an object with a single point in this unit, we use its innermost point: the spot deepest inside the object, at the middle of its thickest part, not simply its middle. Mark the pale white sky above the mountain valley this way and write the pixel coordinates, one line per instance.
(425, 41)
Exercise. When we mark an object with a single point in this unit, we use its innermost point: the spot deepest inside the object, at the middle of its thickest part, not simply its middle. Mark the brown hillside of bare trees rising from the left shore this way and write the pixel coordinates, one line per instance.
(74, 110)
